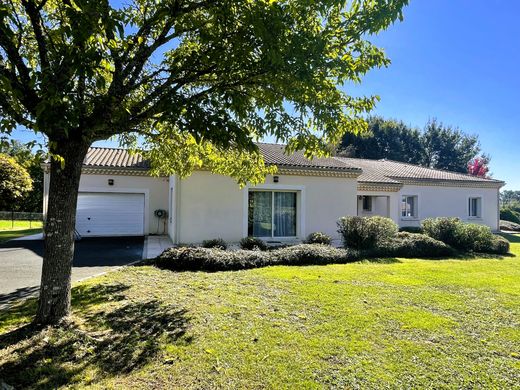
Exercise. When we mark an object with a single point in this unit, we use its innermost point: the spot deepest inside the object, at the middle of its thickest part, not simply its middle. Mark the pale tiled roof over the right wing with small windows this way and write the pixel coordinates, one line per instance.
(384, 170)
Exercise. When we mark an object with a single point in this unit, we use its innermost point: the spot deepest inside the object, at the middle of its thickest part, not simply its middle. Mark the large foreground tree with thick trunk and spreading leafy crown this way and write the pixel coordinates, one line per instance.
(197, 80)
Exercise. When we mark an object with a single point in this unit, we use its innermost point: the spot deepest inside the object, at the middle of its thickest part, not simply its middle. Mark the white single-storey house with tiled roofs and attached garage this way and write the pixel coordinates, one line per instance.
(117, 197)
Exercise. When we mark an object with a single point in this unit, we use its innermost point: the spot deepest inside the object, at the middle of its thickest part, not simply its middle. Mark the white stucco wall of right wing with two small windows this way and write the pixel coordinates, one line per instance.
(450, 202)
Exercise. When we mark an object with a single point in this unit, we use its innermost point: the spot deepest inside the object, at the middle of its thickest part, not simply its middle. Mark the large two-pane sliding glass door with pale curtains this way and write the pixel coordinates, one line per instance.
(272, 214)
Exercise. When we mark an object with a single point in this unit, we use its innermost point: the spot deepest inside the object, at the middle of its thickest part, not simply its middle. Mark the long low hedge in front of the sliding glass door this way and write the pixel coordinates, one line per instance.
(213, 259)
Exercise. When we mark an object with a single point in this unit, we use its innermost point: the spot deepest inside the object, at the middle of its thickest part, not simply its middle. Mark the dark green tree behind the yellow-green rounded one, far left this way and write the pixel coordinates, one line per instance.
(23, 154)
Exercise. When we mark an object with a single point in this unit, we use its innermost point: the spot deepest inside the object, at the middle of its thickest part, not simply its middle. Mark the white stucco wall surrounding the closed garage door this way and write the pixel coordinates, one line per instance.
(155, 191)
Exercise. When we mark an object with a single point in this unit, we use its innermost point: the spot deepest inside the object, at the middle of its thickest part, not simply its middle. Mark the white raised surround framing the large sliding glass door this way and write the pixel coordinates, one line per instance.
(300, 208)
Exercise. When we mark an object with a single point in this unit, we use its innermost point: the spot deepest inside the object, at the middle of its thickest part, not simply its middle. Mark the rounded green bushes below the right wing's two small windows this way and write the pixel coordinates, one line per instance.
(464, 236)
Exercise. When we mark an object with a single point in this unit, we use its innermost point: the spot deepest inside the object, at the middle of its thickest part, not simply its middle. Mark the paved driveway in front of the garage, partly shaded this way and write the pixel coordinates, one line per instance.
(21, 262)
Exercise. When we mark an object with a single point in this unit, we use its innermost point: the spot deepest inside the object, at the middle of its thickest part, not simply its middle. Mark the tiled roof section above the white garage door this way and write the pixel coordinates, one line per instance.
(114, 158)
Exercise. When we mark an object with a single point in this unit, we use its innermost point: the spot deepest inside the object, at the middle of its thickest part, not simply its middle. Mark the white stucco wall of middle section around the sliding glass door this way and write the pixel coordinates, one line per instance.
(211, 206)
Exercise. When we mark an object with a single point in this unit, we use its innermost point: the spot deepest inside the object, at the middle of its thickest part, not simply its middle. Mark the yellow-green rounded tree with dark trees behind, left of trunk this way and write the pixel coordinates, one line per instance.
(22, 177)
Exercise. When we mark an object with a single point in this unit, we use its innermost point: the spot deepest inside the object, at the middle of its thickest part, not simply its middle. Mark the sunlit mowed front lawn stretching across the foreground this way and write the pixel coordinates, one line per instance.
(392, 323)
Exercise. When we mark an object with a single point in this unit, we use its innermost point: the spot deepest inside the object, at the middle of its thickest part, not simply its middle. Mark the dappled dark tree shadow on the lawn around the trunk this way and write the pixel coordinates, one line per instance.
(121, 337)
